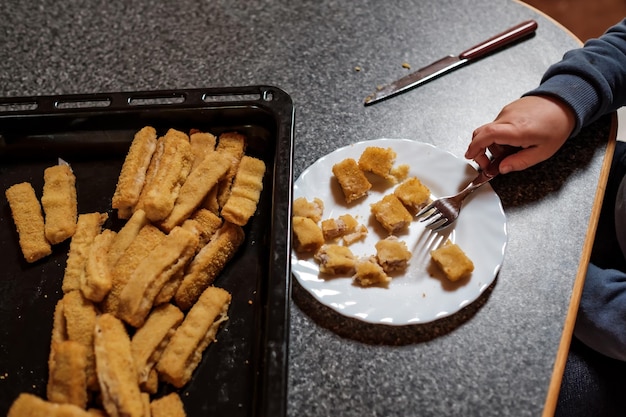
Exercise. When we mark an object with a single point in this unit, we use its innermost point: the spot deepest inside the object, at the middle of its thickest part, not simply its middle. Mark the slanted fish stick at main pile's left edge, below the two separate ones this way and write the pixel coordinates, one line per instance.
(89, 226)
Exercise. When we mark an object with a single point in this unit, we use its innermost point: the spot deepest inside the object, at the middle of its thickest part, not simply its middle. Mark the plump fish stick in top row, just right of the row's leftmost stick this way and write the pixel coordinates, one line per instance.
(173, 168)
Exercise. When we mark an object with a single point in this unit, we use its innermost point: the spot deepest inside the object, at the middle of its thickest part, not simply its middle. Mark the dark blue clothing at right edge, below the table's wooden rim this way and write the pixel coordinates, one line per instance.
(601, 320)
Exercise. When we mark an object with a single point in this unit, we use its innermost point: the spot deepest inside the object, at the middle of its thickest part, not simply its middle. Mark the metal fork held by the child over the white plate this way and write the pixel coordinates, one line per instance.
(444, 211)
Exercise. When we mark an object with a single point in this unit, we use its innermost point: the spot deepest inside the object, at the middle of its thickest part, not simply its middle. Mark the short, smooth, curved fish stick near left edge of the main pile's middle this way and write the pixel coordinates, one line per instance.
(95, 283)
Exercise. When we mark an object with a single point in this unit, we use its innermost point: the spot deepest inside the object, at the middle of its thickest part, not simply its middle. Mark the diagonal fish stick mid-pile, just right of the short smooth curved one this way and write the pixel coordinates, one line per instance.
(148, 238)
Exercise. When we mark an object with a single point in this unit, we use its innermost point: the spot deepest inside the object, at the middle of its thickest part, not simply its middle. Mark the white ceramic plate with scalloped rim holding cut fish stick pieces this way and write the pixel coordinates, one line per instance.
(420, 294)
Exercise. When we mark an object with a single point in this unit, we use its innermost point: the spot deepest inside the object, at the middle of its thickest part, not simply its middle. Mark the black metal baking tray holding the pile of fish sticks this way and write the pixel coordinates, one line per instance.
(244, 373)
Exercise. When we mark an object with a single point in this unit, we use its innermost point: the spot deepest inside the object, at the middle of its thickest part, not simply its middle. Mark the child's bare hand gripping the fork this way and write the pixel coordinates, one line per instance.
(539, 125)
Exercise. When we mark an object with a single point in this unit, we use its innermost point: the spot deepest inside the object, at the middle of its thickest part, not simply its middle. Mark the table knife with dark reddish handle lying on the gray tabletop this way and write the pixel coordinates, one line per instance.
(451, 62)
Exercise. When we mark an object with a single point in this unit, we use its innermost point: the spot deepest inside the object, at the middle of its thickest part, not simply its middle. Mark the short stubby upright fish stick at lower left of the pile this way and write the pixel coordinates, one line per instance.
(67, 380)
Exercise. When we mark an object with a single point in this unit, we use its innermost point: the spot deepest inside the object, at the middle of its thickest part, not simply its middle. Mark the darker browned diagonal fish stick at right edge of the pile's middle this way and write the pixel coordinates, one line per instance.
(208, 263)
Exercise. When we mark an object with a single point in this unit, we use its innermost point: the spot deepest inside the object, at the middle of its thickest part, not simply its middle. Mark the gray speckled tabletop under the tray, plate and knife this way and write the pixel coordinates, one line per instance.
(495, 357)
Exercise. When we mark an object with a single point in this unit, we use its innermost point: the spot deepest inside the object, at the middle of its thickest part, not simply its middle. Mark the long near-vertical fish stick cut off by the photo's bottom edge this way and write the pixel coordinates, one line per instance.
(117, 374)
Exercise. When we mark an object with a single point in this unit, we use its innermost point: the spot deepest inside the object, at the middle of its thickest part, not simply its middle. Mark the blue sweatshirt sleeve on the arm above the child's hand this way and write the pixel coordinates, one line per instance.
(591, 79)
